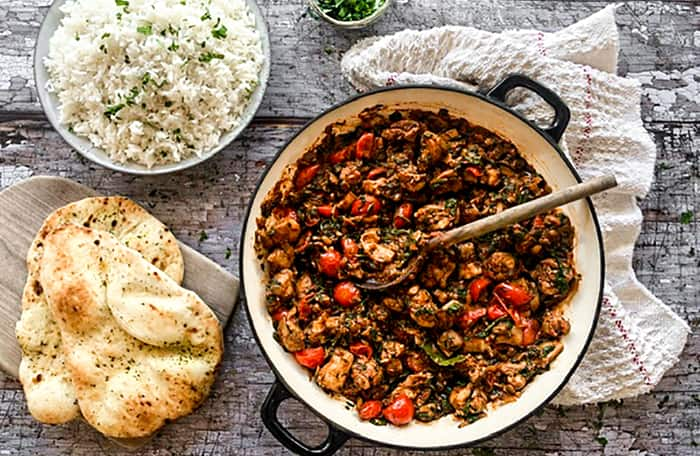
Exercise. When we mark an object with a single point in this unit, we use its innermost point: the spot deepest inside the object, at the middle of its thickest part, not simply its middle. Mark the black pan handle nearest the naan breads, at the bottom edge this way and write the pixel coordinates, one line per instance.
(278, 394)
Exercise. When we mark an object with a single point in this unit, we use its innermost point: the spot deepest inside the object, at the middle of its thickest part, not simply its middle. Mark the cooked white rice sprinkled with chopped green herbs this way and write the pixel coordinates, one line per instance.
(154, 81)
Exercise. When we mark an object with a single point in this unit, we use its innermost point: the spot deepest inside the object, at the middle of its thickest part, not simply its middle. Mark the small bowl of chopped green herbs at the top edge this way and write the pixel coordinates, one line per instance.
(350, 14)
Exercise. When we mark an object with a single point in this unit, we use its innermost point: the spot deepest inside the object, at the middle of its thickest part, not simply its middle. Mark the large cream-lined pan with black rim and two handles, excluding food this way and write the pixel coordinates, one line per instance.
(541, 151)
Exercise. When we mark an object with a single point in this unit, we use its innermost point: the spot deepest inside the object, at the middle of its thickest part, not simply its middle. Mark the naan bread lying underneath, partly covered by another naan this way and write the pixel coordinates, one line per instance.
(47, 385)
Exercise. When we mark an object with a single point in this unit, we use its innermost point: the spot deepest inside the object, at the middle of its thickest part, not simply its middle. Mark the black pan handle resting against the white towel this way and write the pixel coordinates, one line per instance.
(561, 111)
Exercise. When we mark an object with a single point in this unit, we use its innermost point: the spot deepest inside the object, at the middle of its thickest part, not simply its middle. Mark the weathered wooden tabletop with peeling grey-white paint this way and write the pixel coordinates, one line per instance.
(205, 205)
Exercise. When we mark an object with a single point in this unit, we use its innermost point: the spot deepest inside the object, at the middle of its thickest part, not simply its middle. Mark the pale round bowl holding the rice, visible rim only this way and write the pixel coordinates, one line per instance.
(50, 103)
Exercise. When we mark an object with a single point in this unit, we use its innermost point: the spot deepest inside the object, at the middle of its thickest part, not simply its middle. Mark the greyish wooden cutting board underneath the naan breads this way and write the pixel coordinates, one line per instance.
(23, 208)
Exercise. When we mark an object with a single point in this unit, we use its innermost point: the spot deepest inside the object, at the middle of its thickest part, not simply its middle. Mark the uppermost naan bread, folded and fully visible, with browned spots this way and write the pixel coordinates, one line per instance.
(140, 349)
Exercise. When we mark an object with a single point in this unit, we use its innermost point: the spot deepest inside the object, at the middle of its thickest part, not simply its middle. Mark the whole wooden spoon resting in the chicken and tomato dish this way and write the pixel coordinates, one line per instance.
(495, 222)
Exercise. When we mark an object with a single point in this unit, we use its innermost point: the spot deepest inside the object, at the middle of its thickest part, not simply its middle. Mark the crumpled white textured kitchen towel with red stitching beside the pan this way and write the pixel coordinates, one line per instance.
(638, 337)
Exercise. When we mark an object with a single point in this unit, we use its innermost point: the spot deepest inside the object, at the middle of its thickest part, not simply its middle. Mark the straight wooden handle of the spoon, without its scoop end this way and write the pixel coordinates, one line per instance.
(523, 211)
